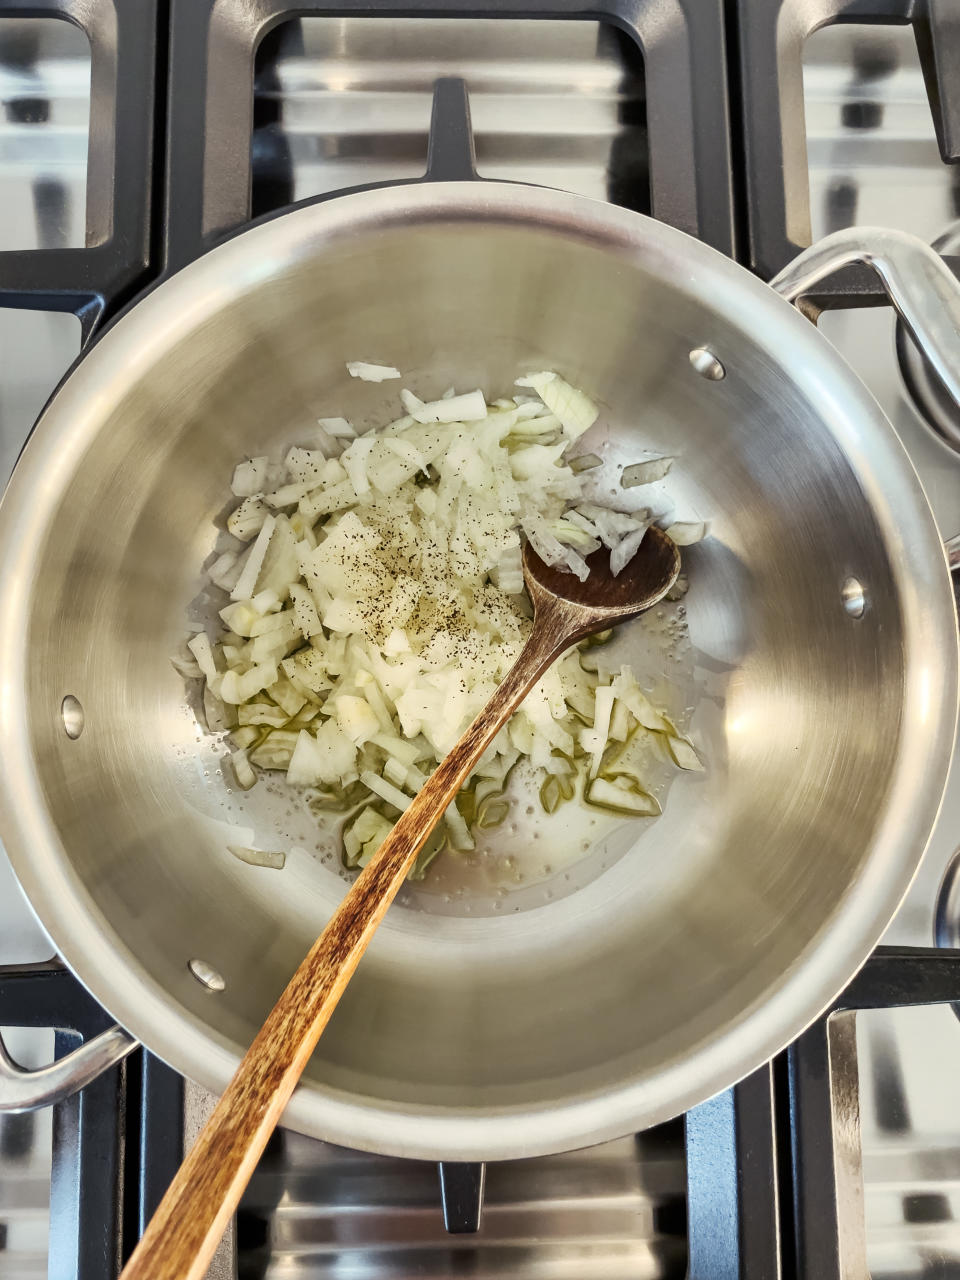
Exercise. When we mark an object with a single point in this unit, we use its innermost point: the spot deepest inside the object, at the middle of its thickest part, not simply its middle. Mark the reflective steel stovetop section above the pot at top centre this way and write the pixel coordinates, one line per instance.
(346, 102)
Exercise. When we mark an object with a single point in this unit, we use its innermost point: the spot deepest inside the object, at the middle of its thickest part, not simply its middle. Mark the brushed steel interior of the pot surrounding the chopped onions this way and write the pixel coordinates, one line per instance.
(624, 949)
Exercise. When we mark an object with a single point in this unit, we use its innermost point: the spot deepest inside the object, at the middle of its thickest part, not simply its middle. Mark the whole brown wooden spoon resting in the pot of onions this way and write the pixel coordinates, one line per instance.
(184, 1235)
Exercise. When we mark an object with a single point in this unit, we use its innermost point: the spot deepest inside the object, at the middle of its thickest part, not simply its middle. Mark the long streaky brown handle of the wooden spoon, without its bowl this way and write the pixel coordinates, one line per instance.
(184, 1235)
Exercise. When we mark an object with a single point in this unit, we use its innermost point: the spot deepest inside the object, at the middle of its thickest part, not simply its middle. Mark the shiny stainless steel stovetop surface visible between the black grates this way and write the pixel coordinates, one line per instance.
(344, 102)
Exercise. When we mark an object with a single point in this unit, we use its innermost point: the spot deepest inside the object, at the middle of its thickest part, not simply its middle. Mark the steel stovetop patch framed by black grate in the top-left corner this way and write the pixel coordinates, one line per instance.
(44, 130)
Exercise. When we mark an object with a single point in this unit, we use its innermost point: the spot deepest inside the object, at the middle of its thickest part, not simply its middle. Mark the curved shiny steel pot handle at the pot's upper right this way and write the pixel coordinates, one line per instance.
(925, 292)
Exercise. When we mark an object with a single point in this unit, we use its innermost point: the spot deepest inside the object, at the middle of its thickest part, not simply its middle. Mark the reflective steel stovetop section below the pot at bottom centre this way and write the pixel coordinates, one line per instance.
(610, 1213)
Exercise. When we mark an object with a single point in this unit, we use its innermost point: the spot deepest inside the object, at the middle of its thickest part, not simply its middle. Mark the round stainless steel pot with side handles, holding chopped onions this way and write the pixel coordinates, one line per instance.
(821, 669)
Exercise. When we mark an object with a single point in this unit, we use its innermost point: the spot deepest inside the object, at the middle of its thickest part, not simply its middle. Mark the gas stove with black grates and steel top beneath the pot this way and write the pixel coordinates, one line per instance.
(134, 136)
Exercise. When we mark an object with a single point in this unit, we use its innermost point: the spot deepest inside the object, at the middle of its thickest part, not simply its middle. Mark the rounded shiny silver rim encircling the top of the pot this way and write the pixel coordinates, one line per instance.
(115, 977)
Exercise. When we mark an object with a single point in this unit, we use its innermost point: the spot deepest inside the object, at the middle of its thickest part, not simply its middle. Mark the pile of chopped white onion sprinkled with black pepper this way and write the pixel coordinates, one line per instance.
(381, 602)
